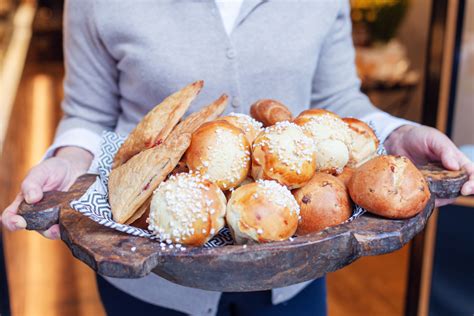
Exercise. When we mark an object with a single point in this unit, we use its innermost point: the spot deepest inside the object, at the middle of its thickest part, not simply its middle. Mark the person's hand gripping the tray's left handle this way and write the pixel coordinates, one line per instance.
(56, 173)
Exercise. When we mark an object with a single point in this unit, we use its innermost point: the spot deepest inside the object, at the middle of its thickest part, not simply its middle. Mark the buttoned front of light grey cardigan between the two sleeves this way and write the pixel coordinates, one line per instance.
(161, 46)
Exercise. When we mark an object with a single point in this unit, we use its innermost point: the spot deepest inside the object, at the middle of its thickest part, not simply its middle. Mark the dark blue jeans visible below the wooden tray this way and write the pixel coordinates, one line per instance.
(310, 301)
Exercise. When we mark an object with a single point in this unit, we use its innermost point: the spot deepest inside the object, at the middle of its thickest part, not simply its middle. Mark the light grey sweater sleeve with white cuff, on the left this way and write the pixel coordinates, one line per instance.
(91, 94)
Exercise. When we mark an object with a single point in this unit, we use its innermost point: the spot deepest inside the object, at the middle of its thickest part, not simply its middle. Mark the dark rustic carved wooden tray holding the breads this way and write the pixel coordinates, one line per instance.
(232, 268)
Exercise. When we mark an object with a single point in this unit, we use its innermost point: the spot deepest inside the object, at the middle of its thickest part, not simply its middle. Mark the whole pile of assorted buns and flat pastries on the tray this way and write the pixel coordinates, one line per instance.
(267, 176)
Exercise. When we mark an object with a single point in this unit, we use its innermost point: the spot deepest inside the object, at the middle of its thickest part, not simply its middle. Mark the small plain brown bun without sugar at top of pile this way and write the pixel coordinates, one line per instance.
(270, 112)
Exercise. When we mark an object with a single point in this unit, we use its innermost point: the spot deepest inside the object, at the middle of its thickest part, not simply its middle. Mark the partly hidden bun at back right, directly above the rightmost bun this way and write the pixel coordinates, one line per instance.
(364, 142)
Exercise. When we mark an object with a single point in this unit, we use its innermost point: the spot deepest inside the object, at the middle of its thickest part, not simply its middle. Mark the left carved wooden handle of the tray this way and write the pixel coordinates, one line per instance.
(45, 213)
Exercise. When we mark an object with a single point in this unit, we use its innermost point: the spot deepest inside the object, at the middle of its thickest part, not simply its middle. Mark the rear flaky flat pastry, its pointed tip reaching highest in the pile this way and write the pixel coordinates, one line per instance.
(158, 123)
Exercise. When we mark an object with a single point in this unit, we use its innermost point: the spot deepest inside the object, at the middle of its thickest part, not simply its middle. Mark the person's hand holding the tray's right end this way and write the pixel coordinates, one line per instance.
(424, 144)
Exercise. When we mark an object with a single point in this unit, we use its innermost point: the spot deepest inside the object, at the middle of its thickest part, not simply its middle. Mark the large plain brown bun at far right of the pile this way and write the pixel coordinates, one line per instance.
(389, 186)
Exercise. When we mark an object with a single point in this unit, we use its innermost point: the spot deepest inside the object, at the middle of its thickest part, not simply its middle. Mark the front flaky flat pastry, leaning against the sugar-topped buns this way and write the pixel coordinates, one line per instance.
(145, 171)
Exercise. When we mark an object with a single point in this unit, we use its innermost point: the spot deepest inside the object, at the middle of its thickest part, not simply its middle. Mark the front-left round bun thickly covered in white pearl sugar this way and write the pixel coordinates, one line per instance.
(187, 209)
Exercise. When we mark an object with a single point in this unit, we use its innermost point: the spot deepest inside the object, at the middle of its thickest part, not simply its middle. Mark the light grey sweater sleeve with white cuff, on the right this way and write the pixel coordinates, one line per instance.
(336, 86)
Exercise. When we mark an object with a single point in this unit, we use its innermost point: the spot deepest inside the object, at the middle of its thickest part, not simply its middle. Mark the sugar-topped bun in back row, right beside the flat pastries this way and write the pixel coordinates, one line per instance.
(220, 152)
